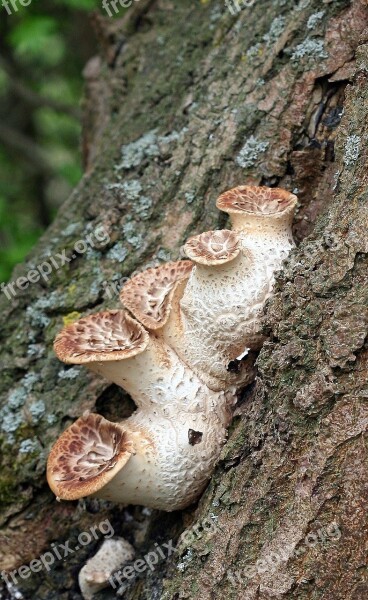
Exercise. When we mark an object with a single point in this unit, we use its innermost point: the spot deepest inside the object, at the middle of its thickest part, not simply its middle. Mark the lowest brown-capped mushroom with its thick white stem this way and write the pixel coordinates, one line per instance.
(160, 457)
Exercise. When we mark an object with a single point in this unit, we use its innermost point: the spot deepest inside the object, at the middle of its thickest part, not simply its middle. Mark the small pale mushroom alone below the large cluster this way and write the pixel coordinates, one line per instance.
(96, 573)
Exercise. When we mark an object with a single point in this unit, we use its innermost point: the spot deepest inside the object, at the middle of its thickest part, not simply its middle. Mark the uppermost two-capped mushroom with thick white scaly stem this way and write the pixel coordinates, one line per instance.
(216, 326)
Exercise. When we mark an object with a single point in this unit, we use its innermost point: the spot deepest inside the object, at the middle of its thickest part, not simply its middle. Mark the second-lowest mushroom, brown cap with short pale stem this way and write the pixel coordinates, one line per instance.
(114, 345)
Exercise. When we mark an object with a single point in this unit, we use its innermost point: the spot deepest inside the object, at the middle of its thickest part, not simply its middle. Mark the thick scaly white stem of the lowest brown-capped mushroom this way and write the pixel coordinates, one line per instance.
(177, 451)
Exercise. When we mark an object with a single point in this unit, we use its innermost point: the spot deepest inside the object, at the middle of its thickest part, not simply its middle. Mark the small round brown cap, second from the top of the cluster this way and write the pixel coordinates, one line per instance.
(213, 247)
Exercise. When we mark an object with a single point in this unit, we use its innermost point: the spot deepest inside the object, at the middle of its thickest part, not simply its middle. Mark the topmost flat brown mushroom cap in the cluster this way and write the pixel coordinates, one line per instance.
(257, 200)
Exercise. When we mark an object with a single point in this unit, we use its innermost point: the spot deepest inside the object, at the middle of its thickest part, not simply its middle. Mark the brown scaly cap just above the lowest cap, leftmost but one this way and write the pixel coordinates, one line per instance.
(104, 336)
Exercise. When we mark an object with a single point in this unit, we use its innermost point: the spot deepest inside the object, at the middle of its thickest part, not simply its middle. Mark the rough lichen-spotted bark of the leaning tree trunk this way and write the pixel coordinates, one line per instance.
(185, 101)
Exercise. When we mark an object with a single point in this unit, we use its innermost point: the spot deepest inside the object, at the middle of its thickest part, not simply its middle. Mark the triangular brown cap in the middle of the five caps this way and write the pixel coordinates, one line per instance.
(149, 294)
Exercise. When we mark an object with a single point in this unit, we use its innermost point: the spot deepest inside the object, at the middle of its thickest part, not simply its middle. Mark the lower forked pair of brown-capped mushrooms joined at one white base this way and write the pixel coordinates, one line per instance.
(149, 458)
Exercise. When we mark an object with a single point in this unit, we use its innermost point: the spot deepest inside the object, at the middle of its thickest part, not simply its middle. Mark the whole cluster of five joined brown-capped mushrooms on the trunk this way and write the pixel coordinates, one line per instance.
(185, 343)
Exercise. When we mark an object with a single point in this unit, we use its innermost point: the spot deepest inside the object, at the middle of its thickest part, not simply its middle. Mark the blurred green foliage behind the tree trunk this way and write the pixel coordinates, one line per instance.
(43, 49)
